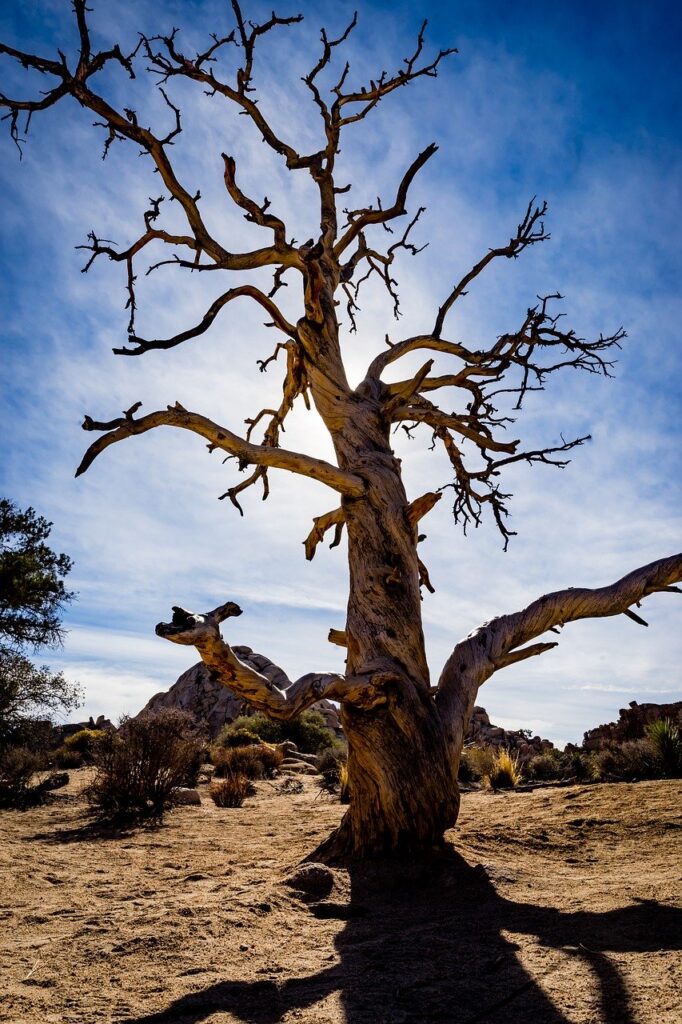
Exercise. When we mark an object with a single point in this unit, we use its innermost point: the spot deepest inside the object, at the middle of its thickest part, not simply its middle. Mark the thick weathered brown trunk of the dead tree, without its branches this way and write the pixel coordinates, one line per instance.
(403, 775)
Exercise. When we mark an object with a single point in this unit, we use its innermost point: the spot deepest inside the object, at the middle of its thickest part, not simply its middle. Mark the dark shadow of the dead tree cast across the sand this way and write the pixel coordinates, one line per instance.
(431, 945)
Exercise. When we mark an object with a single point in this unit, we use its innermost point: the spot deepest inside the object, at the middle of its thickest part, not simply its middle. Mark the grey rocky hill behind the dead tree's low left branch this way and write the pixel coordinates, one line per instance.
(216, 706)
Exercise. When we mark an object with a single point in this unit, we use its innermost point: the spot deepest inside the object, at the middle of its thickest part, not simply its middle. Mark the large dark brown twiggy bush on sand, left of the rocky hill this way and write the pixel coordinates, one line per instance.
(141, 765)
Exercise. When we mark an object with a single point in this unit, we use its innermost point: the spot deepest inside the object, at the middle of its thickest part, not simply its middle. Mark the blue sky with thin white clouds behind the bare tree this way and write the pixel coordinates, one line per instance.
(576, 103)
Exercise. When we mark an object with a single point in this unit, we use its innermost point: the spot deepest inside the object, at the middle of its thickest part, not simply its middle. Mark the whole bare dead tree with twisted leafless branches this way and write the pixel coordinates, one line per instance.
(405, 736)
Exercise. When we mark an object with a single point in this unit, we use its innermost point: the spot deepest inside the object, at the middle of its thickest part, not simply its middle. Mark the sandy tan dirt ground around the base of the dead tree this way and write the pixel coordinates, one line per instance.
(553, 907)
